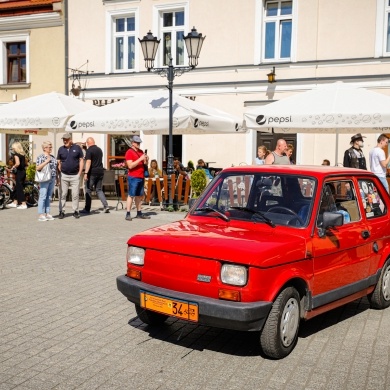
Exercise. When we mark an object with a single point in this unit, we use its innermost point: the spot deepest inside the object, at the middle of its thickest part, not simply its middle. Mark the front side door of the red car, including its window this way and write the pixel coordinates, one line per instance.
(341, 254)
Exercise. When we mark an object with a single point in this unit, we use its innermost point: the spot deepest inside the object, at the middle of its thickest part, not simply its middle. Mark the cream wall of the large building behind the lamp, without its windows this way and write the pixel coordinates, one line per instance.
(332, 41)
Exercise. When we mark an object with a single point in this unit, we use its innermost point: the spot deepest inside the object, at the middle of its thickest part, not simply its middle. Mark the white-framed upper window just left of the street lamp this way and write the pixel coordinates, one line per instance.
(124, 42)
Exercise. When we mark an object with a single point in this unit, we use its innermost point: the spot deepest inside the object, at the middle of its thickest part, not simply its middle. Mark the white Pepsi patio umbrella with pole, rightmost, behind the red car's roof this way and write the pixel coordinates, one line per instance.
(334, 108)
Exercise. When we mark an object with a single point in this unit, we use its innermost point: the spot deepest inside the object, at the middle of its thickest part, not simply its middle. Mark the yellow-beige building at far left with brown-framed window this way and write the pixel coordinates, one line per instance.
(32, 58)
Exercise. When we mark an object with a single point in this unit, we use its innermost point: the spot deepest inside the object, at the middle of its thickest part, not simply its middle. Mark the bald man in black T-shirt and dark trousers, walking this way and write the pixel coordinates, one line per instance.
(93, 176)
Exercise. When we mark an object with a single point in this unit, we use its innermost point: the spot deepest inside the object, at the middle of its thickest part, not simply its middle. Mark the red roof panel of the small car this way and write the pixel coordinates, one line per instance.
(309, 170)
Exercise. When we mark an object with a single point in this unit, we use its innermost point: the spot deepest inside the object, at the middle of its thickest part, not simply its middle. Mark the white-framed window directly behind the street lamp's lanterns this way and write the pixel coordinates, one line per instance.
(172, 36)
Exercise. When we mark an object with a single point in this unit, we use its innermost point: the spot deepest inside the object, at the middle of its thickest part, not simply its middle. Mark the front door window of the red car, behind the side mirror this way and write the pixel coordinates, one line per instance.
(339, 196)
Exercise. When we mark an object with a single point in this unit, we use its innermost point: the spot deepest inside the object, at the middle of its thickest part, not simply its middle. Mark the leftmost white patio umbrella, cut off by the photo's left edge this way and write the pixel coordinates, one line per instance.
(40, 114)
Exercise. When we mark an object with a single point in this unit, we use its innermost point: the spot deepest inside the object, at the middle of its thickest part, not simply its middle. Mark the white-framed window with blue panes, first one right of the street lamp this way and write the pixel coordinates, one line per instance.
(277, 29)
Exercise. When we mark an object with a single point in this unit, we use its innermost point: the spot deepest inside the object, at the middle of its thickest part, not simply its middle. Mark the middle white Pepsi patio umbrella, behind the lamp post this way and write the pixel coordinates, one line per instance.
(150, 113)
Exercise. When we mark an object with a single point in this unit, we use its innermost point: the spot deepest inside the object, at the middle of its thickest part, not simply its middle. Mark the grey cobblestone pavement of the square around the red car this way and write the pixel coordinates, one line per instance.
(64, 325)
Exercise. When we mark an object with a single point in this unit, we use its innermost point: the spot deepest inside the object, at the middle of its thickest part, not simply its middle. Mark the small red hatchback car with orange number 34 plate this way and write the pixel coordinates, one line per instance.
(262, 249)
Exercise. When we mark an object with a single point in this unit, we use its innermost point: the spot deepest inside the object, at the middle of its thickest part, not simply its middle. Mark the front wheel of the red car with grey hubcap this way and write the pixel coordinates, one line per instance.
(280, 333)
